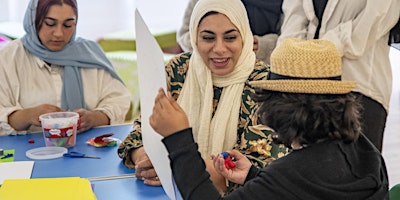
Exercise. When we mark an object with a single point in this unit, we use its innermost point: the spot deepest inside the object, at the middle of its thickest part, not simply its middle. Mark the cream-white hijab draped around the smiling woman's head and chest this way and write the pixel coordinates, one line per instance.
(219, 133)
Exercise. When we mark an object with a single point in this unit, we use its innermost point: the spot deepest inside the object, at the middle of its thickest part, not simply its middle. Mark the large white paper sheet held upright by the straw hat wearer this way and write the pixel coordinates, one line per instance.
(151, 74)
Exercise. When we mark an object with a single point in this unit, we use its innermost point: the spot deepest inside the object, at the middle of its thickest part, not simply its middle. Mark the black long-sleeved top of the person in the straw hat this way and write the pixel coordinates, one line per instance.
(328, 170)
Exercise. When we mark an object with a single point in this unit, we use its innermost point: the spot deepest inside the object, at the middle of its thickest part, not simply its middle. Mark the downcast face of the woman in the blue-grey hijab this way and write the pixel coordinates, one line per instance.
(58, 27)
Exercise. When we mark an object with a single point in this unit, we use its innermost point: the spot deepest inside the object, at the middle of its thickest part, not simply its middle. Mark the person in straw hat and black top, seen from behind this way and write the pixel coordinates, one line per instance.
(313, 112)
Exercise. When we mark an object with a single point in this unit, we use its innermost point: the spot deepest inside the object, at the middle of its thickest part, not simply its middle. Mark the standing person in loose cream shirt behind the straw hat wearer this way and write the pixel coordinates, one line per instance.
(360, 30)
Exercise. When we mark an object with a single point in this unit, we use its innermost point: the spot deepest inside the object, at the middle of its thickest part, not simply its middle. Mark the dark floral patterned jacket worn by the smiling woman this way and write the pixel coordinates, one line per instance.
(254, 140)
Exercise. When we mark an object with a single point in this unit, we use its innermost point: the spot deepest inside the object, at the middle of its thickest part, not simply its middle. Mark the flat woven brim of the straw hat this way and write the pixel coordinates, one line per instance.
(306, 86)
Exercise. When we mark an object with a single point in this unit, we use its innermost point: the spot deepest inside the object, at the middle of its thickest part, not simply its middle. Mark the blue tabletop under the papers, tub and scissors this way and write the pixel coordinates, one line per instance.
(109, 164)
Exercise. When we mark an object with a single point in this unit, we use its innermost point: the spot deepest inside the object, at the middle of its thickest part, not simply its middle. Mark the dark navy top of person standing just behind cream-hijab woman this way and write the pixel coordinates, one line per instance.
(264, 16)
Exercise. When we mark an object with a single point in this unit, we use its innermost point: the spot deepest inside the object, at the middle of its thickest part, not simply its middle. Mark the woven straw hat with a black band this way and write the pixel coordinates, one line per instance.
(306, 66)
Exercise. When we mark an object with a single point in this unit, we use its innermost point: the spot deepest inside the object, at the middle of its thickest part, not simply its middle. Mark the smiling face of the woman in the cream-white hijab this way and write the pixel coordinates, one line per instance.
(219, 43)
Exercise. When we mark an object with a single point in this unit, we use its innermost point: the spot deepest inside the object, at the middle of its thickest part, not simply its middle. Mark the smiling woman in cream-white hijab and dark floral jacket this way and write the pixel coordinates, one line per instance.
(212, 86)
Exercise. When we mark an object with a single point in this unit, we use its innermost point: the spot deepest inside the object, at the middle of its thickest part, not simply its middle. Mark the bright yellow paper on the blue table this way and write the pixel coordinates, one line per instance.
(71, 188)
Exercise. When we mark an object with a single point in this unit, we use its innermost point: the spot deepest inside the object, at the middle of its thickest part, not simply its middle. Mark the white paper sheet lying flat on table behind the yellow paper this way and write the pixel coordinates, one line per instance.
(15, 170)
